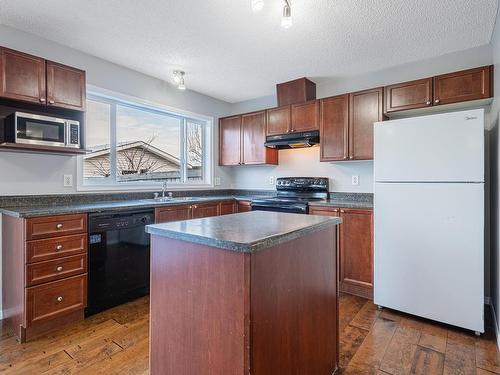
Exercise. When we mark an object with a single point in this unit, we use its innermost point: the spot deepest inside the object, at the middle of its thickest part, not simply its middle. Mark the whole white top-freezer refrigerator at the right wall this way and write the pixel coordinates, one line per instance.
(429, 217)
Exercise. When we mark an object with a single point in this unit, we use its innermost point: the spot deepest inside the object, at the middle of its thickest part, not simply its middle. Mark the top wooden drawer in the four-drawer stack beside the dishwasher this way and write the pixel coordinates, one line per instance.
(52, 226)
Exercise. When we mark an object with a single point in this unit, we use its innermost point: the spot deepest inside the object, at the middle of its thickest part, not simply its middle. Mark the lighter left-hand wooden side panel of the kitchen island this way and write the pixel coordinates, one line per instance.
(198, 299)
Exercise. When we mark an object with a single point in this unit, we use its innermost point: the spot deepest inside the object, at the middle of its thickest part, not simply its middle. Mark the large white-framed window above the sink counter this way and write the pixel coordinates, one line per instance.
(135, 144)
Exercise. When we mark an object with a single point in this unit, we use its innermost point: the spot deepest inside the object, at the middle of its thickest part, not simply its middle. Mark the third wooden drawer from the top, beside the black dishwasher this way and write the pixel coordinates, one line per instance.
(42, 272)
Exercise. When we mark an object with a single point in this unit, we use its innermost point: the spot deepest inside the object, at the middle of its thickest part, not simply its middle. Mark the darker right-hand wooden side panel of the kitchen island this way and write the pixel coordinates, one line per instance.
(294, 306)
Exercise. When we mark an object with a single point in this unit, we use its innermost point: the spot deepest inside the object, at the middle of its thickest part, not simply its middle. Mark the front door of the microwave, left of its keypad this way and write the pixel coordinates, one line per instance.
(40, 130)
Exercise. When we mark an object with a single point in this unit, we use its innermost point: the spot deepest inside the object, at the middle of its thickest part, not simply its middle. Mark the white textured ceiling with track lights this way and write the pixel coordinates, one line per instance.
(232, 54)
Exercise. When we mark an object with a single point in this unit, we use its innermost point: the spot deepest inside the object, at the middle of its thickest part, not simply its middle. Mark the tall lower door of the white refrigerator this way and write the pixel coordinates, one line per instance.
(429, 251)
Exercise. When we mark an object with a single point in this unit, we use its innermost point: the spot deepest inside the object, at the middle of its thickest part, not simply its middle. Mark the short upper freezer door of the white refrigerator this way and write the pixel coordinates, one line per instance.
(437, 148)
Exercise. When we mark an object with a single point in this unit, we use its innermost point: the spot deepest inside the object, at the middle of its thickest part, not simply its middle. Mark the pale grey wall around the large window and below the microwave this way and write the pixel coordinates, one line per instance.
(43, 174)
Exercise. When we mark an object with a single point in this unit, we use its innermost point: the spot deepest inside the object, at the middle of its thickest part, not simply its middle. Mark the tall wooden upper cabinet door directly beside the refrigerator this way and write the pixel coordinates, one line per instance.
(365, 108)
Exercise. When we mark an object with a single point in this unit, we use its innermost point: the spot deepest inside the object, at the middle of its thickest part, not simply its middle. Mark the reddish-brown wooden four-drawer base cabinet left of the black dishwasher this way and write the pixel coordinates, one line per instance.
(44, 280)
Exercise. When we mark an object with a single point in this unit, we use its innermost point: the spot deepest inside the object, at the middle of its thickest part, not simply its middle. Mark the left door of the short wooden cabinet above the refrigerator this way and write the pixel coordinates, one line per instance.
(408, 95)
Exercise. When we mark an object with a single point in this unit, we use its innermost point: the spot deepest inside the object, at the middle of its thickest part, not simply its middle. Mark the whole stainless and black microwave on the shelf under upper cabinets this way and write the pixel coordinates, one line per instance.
(41, 130)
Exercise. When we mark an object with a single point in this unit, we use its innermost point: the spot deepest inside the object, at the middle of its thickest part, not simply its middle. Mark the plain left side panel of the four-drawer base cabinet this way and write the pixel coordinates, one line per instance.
(13, 250)
